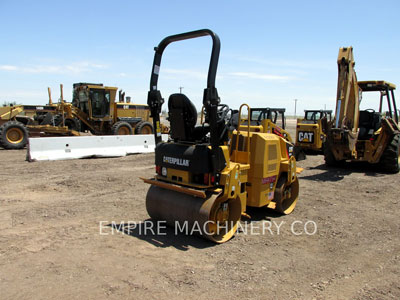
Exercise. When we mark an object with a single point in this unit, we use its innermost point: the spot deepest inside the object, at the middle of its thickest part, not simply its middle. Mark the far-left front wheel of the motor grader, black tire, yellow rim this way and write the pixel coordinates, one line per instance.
(13, 135)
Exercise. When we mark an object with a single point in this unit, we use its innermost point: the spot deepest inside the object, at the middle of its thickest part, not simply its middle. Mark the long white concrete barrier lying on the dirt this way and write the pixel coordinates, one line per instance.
(59, 148)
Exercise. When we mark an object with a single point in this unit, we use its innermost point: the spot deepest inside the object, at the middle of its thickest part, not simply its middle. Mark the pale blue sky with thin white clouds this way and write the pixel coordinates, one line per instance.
(272, 52)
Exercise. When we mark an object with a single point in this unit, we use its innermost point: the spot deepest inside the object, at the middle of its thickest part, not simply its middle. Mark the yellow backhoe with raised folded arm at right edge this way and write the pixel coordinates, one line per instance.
(362, 135)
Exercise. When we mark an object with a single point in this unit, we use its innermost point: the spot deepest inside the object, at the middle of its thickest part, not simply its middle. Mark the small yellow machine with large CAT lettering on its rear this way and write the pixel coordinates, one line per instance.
(310, 131)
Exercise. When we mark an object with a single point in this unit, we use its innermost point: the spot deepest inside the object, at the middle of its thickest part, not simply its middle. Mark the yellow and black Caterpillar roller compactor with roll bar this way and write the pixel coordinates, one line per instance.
(201, 180)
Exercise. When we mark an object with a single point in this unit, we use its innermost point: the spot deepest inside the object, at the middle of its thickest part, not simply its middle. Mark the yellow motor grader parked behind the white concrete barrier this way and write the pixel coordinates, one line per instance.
(93, 109)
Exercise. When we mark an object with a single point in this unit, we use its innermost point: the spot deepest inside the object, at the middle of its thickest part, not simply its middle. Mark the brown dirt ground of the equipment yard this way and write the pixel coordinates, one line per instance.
(57, 238)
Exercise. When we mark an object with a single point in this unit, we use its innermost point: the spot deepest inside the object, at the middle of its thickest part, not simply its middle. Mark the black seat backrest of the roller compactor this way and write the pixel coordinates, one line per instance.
(182, 117)
